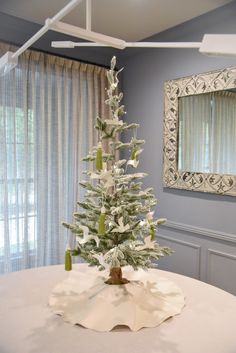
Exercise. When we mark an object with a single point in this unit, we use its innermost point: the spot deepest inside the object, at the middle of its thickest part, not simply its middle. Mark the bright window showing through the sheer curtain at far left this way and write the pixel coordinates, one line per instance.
(19, 191)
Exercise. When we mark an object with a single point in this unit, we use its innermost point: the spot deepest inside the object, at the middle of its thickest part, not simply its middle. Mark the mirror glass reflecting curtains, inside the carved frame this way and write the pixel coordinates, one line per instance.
(207, 133)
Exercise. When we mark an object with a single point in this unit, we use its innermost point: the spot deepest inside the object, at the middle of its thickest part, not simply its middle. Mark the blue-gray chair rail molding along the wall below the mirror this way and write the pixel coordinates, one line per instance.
(201, 231)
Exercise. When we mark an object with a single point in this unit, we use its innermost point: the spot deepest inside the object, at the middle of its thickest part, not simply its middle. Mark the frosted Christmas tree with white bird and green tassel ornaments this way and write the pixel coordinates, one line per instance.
(115, 226)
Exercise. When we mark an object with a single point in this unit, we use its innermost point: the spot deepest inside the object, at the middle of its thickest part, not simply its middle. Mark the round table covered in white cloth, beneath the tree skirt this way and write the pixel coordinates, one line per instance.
(27, 324)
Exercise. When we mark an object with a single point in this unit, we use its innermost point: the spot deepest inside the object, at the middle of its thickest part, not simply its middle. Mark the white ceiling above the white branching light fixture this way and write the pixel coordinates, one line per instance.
(130, 20)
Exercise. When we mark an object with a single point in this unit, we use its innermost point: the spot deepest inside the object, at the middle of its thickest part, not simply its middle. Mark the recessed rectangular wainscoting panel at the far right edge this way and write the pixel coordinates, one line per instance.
(221, 270)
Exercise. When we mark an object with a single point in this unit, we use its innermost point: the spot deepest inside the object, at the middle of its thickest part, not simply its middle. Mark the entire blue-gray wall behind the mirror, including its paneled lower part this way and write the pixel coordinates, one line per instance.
(202, 227)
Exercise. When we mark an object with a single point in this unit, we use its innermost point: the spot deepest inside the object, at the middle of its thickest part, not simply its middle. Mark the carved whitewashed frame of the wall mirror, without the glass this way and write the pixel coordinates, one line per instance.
(173, 178)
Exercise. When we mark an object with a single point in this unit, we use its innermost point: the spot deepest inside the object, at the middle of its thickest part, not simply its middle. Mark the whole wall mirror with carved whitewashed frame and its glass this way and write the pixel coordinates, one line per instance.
(200, 133)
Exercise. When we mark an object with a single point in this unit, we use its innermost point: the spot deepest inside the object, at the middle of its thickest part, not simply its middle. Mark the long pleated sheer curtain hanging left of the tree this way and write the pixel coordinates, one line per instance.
(48, 107)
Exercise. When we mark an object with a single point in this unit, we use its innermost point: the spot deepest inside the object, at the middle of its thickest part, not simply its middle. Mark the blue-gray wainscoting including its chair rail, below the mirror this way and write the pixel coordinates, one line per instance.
(200, 253)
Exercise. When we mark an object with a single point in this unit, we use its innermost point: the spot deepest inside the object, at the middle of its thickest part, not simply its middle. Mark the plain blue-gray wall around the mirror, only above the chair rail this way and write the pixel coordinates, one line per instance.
(143, 79)
